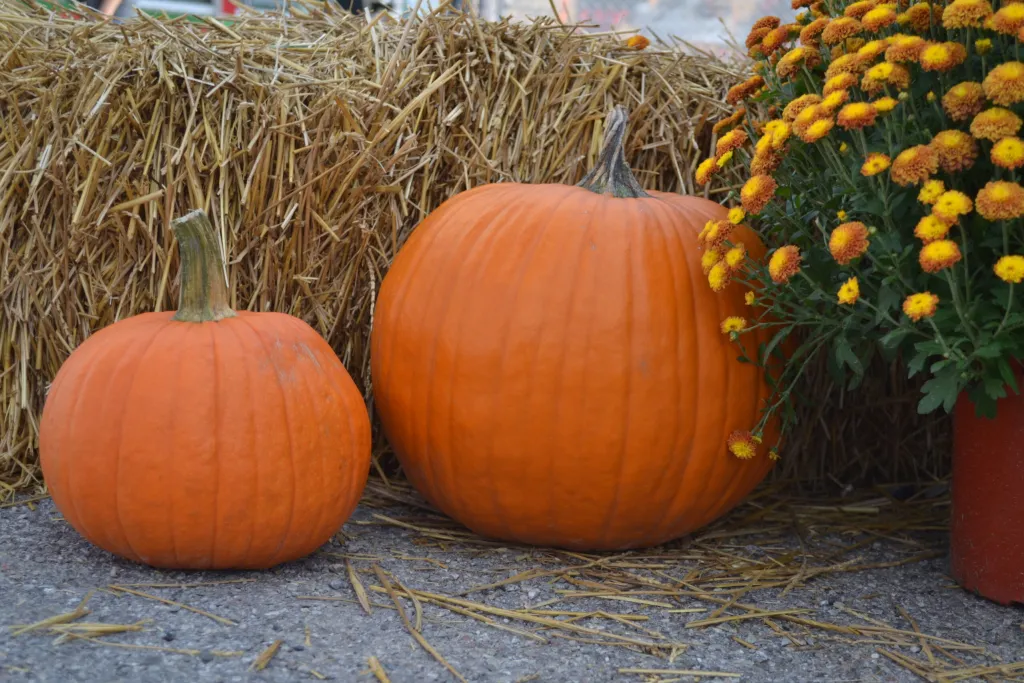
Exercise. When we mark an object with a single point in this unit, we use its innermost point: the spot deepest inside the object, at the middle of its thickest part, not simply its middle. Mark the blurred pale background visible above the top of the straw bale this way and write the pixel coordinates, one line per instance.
(706, 24)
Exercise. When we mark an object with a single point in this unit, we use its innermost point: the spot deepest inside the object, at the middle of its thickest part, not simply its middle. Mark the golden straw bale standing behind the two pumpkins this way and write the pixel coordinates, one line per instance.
(316, 143)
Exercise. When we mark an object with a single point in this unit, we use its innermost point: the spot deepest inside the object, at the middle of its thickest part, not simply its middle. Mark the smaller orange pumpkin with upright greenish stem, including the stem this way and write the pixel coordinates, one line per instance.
(205, 439)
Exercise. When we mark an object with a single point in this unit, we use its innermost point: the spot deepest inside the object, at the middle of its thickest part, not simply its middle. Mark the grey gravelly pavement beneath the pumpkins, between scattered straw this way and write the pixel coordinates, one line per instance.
(47, 570)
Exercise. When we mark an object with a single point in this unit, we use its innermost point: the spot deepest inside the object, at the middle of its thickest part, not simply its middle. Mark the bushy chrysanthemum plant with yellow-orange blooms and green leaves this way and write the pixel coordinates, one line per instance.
(882, 151)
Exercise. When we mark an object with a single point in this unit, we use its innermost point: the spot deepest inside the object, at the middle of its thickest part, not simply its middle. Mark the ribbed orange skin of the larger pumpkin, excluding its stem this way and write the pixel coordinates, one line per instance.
(549, 368)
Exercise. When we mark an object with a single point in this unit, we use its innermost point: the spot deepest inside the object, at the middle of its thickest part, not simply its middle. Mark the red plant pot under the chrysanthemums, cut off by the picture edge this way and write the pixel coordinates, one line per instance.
(988, 533)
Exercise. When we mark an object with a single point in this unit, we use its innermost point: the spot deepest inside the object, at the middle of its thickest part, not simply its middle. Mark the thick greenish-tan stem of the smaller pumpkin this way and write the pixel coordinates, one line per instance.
(204, 285)
